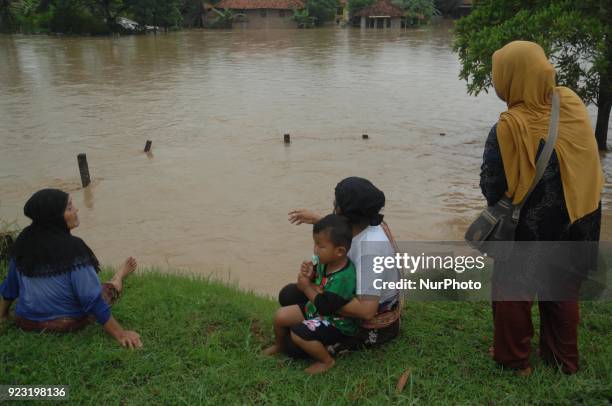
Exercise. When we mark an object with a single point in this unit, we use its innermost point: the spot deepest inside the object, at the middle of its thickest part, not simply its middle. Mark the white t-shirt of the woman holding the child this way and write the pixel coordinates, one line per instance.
(366, 245)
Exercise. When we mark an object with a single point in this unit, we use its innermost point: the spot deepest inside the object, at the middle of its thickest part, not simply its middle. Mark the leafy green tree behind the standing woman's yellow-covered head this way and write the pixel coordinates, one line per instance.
(576, 35)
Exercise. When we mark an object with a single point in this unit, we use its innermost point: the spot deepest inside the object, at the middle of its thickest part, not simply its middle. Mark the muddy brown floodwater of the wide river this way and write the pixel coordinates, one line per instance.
(213, 196)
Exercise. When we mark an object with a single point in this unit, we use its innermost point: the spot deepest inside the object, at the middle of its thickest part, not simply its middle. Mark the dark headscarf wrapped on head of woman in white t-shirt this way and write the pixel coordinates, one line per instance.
(360, 201)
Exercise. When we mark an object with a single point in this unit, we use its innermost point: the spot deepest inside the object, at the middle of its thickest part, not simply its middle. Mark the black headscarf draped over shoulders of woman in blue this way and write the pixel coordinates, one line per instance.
(46, 247)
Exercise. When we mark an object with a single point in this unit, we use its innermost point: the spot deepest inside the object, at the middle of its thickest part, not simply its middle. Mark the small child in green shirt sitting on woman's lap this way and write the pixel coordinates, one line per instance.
(316, 324)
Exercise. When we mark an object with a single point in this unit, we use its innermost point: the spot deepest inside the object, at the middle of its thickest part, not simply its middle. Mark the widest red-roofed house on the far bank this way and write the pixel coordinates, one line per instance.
(263, 13)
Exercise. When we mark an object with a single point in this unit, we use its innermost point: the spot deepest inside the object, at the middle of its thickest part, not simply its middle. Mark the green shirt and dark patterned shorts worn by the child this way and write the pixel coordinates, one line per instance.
(341, 284)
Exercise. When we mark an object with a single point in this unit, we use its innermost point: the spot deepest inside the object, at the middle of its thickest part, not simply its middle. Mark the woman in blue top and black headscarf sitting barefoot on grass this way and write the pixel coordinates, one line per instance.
(53, 274)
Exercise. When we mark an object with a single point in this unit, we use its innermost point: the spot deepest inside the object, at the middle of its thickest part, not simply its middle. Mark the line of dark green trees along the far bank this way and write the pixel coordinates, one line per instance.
(99, 17)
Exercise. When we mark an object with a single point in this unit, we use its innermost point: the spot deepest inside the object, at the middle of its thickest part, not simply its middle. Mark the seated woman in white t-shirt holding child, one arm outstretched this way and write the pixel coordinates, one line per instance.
(360, 202)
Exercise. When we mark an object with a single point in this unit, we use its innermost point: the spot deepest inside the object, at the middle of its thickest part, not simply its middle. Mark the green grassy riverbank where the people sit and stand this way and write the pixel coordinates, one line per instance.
(202, 341)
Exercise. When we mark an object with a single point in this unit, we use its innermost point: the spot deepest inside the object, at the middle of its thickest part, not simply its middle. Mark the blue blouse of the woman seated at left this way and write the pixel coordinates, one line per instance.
(71, 294)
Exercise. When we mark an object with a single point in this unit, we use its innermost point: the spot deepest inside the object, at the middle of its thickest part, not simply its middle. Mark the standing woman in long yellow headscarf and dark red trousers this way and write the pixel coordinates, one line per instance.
(565, 205)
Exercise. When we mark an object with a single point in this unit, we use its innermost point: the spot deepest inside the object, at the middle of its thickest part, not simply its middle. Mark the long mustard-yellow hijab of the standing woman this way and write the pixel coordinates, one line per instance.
(524, 79)
